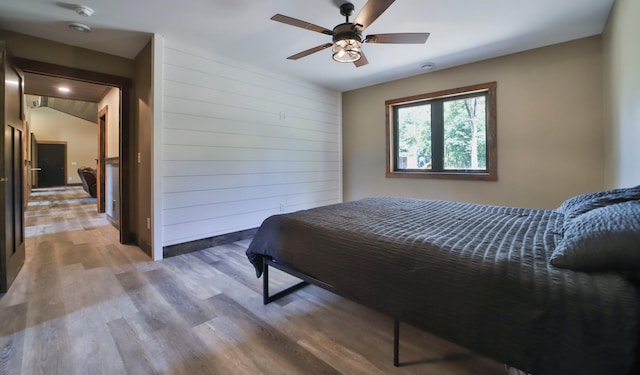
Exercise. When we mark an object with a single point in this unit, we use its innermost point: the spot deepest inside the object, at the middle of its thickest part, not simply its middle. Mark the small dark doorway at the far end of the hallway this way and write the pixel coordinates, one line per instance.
(52, 164)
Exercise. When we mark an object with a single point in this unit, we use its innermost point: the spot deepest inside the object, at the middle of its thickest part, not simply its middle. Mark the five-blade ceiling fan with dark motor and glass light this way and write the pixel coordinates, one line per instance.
(347, 37)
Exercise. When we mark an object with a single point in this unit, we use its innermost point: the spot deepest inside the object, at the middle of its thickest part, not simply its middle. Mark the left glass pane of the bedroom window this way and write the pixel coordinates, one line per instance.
(414, 137)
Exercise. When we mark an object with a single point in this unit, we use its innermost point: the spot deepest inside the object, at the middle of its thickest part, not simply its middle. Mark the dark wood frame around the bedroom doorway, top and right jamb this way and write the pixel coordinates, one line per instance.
(125, 136)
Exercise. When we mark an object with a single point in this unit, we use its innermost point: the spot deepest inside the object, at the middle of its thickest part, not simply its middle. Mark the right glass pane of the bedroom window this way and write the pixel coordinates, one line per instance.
(465, 134)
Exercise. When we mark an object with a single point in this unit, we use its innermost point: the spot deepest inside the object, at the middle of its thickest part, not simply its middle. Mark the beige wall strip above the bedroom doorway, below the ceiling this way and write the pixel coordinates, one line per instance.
(38, 49)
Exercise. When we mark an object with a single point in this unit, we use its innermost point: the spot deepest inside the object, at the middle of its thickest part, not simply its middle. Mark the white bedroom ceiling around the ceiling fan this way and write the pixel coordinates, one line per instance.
(462, 31)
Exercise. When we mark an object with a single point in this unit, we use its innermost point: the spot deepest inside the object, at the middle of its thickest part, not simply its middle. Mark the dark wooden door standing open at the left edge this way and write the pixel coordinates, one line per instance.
(11, 171)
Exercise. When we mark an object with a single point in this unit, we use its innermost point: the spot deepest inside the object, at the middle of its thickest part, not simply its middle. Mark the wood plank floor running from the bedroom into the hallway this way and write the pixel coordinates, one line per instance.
(85, 304)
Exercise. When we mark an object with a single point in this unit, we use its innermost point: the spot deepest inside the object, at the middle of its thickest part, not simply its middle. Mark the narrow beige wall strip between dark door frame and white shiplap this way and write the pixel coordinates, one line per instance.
(143, 96)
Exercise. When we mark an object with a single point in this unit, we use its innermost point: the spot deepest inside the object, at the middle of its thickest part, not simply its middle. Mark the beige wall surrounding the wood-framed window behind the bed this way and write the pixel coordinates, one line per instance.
(549, 129)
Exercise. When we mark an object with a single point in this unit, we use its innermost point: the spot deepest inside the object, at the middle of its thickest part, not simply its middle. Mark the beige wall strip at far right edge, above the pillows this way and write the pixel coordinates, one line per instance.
(621, 52)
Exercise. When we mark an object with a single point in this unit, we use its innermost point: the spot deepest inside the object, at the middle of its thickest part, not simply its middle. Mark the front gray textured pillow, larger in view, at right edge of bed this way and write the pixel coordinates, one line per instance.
(603, 239)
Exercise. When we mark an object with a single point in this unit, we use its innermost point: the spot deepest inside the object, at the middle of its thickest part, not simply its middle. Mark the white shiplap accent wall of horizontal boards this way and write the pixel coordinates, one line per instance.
(241, 144)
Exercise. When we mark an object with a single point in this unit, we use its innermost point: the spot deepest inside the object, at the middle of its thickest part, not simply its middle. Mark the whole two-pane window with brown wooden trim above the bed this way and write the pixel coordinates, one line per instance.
(446, 134)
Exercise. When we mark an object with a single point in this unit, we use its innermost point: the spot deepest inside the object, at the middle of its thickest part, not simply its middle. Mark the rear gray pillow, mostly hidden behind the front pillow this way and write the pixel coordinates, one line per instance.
(580, 204)
